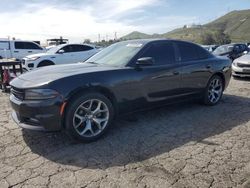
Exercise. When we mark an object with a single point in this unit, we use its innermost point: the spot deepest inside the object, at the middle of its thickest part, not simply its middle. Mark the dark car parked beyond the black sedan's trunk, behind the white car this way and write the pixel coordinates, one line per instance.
(231, 51)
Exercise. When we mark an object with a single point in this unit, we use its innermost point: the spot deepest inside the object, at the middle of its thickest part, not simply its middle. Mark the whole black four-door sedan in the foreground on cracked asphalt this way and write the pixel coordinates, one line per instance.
(125, 77)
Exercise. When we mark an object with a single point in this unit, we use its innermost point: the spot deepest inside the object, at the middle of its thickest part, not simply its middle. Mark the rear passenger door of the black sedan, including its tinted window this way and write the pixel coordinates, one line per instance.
(196, 67)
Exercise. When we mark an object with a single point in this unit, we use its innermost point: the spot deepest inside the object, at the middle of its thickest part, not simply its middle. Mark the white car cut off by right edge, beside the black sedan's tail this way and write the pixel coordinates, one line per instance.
(241, 66)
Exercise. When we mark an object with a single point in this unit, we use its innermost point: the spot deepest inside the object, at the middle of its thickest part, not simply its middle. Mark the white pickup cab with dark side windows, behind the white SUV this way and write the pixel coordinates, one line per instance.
(23, 49)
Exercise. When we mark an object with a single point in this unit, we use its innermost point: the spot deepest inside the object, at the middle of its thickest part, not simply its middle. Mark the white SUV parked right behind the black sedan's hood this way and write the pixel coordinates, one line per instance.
(62, 54)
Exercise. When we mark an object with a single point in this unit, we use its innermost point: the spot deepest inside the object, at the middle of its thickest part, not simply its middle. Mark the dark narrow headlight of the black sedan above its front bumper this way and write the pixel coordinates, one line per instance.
(40, 94)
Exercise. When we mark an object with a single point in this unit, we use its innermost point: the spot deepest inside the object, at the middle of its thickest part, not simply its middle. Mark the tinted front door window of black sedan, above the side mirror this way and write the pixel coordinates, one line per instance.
(163, 53)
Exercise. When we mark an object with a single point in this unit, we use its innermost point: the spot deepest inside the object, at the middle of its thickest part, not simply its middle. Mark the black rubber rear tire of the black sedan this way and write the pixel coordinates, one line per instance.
(207, 95)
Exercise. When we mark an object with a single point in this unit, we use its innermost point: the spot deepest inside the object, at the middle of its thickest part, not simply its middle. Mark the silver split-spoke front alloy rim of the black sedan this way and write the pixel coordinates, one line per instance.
(90, 118)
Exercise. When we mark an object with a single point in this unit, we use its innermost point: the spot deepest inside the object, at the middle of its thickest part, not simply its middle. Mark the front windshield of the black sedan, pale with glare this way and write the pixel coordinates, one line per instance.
(118, 54)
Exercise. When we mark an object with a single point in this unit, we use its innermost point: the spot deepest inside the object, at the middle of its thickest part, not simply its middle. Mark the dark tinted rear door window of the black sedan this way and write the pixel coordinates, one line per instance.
(191, 52)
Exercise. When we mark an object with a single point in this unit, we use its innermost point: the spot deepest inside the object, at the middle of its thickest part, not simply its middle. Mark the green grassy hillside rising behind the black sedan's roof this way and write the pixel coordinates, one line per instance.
(236, 24)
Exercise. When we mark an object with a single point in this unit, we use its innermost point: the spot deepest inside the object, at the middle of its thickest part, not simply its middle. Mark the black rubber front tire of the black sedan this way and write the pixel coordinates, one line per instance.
(73, 108)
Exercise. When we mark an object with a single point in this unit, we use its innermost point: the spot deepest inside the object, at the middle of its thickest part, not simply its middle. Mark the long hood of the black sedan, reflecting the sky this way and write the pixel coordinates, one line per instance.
(45, 75)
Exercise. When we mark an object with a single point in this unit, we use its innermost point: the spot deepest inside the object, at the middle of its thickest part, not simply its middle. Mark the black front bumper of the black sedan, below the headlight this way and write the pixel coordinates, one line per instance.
(43, 115)
